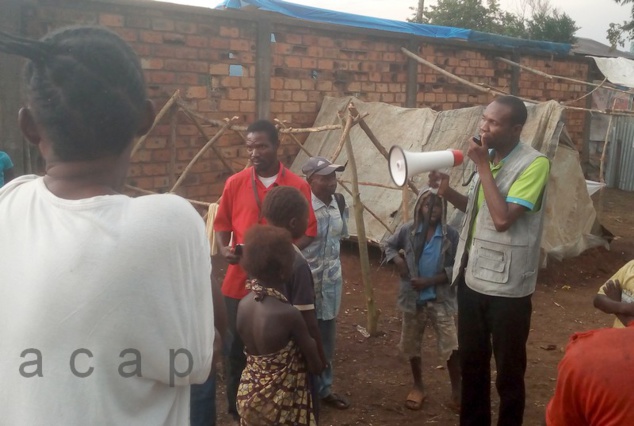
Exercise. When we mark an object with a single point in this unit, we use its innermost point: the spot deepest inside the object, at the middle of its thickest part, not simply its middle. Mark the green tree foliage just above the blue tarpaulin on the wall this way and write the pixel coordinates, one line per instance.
(545, 24)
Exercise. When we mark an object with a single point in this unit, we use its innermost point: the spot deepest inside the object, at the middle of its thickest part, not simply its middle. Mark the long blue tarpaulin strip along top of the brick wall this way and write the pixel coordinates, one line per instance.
(316, 14)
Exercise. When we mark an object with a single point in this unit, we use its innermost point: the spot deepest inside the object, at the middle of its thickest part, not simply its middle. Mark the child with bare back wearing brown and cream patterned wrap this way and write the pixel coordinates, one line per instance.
(274, 388)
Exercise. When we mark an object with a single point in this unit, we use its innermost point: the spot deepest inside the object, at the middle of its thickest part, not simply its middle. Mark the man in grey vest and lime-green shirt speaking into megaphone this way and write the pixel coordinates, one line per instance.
(499, 252)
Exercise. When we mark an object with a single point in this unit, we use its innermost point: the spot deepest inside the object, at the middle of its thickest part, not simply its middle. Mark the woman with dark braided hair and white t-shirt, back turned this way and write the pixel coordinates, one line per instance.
(105, 300)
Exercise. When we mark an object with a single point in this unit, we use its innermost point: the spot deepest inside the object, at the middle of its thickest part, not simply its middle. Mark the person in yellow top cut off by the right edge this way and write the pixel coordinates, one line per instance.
(617, 294)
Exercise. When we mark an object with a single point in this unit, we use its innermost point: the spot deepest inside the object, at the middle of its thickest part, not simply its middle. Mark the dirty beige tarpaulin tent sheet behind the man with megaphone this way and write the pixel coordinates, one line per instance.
(570, 215)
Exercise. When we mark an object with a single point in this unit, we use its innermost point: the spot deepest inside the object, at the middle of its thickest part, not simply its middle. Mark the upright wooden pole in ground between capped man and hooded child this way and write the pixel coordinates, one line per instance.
(373, 313)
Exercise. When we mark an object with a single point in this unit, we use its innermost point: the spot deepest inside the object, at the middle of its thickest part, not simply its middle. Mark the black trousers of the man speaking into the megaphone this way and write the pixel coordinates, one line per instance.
(501, 324)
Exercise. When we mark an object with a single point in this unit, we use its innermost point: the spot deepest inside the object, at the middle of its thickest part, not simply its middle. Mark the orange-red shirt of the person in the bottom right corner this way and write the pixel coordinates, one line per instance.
(594, 380)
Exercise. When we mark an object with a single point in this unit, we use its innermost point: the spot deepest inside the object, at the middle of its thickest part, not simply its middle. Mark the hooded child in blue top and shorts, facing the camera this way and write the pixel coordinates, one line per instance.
(425, 295)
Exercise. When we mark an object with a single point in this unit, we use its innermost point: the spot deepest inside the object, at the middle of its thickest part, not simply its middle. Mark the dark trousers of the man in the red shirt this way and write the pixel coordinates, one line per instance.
(236, 360)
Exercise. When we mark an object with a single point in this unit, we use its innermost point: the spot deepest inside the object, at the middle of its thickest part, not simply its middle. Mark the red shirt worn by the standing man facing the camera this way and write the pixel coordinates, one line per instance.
(239, 210)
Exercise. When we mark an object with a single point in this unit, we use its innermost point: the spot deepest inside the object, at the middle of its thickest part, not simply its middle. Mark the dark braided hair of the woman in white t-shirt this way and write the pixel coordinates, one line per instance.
(85, 87)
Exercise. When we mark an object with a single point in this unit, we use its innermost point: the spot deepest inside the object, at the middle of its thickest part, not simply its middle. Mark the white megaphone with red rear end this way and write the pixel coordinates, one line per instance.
(405, 164)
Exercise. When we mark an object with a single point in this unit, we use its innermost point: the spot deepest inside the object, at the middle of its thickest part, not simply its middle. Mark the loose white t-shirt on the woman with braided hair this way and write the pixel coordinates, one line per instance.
(98, 289)
